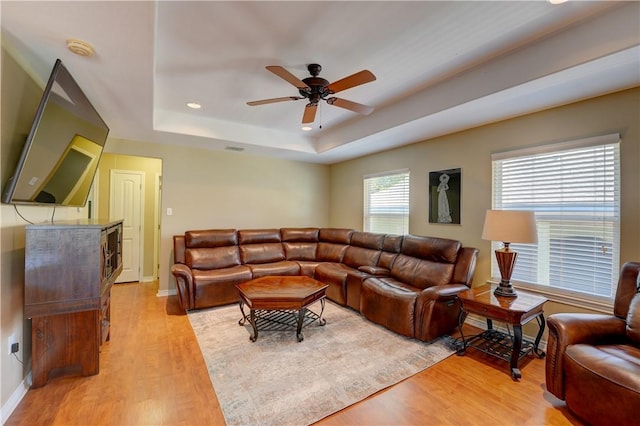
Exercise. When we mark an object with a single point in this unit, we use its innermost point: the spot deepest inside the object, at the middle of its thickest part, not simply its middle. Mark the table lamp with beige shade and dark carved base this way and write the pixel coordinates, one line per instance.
(508, 226)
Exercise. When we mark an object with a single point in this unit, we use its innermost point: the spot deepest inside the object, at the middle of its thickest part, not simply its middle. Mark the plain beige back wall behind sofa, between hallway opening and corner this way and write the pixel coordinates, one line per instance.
(207, 189)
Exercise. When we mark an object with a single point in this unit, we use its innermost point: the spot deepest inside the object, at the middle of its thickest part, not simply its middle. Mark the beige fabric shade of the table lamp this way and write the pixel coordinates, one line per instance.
(510, 226)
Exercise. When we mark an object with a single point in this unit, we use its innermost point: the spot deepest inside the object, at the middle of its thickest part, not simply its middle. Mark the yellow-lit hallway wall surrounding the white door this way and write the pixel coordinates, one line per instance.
(150, 167)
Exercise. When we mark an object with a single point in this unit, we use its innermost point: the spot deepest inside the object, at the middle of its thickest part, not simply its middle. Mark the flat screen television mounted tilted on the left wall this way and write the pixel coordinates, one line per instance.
(61, 153)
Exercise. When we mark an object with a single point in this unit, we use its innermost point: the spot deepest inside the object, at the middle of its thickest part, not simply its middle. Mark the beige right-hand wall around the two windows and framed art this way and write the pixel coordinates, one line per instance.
(471, 151)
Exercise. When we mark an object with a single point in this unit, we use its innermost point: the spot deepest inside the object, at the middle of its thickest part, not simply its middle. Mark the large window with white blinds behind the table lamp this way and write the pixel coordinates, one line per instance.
(574, 190)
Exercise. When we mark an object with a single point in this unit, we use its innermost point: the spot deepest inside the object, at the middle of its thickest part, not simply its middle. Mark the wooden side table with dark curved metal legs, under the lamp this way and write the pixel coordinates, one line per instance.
(514, 311)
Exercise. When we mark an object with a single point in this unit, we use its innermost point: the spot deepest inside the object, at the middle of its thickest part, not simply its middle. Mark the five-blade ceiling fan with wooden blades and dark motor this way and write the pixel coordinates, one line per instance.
(316, 88)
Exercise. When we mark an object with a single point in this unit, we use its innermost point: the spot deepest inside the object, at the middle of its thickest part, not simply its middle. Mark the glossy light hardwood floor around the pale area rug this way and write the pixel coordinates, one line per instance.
(152, 373)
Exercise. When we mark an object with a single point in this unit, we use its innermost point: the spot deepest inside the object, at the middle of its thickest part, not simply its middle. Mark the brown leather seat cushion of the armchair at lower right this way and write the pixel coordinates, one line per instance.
(603, 383)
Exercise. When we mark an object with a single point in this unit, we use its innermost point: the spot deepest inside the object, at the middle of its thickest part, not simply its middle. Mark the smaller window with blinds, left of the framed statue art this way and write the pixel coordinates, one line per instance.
(386, 202)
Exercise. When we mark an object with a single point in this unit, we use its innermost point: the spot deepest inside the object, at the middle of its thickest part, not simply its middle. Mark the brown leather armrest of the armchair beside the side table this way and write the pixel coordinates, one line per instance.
(573, 328)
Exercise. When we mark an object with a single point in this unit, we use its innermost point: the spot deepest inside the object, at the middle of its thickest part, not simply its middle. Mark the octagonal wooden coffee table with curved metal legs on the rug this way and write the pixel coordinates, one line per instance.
(281, 302)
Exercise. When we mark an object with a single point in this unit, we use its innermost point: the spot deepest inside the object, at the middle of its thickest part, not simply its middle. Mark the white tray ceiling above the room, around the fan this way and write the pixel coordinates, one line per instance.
(441, 67)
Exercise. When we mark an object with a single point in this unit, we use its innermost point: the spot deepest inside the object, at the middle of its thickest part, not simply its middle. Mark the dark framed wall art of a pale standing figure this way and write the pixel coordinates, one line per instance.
(445, 189)
